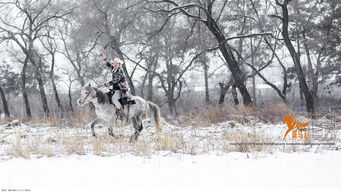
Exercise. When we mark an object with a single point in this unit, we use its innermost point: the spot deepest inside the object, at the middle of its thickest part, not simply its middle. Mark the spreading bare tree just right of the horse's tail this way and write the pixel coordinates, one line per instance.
(171, 51)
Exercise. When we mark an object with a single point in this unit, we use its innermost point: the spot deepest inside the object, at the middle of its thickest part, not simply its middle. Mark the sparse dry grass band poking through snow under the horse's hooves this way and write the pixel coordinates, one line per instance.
(147, 145)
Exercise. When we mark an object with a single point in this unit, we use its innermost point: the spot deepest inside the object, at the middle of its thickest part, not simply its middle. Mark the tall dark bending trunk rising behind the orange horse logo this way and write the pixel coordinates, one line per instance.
(299, 71)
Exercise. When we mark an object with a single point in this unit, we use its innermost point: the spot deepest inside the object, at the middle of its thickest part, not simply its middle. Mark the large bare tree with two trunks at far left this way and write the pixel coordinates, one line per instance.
(36, 16)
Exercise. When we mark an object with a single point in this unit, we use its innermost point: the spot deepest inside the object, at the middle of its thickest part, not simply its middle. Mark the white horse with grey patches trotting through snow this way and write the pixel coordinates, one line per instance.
(107, 112)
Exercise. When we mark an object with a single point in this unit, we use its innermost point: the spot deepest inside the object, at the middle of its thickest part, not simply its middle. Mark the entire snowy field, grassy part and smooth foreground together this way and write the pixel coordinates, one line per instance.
(40, 157)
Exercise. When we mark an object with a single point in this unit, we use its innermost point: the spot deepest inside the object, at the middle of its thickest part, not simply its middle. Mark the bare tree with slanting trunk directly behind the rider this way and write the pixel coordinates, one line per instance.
(114, 21)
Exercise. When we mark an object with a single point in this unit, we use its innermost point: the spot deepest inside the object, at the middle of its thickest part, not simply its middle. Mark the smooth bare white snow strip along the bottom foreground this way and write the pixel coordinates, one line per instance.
(231, 170)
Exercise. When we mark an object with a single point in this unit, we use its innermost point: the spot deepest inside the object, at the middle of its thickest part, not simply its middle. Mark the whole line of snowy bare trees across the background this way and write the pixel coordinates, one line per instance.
(46, 42)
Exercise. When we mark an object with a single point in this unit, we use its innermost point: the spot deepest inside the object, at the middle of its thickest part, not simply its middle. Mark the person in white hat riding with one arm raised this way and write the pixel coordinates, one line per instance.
(118, 84)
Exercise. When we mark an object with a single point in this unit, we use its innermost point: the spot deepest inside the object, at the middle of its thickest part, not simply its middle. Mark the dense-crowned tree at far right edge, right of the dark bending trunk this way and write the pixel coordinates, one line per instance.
(317, 40)
